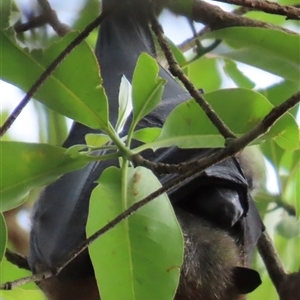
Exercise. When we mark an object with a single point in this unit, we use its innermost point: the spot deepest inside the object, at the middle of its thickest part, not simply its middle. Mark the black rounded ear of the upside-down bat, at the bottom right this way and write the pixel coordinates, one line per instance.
(246, 280)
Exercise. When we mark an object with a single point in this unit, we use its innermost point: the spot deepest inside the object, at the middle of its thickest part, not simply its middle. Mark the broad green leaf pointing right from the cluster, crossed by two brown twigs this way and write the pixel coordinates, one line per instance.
(187, 126)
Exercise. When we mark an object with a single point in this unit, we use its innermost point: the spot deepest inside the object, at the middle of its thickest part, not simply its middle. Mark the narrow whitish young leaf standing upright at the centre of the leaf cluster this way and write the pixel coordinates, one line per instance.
(125, 103)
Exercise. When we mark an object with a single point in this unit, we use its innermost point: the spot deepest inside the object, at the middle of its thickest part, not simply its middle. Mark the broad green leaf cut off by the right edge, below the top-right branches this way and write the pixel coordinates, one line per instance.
(268, 49)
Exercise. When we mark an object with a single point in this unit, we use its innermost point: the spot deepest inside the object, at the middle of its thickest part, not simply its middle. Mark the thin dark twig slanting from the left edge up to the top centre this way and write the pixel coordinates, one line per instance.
(52, 67)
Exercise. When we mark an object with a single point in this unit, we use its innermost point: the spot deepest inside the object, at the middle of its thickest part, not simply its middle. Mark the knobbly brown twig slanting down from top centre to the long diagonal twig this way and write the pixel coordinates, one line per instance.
(177, 71)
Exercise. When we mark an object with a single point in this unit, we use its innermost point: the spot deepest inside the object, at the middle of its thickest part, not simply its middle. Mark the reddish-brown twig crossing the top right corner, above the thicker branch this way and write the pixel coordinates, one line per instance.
(291, 12)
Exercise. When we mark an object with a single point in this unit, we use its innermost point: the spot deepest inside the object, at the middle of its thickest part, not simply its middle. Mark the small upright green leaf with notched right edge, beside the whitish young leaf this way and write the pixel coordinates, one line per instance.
(147, 87)
